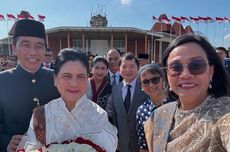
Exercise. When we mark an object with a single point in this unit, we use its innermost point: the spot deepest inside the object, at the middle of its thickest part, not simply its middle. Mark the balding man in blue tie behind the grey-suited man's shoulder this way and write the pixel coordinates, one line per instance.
(113, 56)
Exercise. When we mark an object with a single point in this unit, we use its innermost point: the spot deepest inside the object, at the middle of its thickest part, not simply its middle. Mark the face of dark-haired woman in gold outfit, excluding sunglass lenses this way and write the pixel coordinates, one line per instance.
(191, 89)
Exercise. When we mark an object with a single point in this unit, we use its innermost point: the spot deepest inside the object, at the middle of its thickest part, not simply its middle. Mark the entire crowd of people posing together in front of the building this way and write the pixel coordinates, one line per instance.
(119, 101)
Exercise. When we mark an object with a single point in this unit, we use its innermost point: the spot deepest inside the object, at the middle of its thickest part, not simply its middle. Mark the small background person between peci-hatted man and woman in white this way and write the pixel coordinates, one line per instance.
(48, 61)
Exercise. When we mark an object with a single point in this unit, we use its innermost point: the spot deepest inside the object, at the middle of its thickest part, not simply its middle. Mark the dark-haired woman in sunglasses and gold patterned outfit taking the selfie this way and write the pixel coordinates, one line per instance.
(200, 120)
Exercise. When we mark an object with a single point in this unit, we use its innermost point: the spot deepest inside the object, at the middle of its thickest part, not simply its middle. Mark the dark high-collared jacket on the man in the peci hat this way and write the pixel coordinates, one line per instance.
(20, 91)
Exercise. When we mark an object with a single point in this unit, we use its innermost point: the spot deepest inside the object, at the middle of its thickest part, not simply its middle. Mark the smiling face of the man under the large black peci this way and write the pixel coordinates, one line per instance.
(30, 52)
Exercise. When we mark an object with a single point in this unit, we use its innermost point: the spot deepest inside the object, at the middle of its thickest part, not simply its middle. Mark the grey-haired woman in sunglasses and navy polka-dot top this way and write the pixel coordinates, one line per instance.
(152, 80)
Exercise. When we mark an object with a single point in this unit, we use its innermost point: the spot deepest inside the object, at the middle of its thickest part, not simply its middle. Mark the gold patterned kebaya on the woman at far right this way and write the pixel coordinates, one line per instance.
(204, 128)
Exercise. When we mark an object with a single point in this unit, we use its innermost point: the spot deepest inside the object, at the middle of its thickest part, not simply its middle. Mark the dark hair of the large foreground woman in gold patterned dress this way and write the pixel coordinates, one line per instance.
(220, 81)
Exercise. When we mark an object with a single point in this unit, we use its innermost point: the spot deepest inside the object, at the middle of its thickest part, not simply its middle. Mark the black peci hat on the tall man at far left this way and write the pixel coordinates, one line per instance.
(28, 27)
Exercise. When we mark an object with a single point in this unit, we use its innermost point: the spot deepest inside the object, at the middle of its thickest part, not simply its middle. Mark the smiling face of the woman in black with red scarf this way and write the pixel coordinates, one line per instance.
(99, 71)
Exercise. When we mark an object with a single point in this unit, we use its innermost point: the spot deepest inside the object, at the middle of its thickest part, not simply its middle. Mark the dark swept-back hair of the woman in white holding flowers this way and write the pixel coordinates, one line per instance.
(69, 54)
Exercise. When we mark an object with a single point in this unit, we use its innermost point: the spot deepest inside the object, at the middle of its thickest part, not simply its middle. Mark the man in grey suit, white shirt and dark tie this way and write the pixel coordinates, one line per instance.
(126, 98)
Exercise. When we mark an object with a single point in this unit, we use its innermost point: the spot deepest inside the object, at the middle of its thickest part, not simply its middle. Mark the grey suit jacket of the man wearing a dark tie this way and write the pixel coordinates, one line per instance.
(126, 122)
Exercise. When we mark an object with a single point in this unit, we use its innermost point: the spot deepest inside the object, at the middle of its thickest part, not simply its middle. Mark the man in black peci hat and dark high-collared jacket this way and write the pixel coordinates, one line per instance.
(25, 87)
